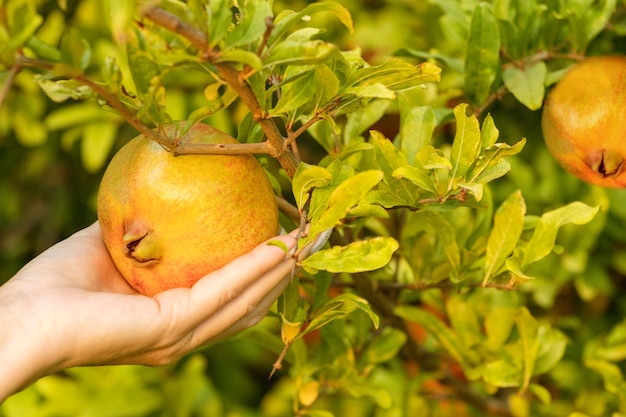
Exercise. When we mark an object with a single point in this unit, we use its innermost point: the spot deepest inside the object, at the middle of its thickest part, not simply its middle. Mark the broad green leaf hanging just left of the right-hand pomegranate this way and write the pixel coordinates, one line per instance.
(527, 84)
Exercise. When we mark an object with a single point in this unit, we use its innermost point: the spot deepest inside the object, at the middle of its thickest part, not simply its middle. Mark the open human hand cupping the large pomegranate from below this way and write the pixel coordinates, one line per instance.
(70, 307)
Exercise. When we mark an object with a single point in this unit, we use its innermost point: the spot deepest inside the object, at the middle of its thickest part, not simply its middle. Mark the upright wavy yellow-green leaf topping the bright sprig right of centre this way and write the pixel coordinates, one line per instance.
(466, 145)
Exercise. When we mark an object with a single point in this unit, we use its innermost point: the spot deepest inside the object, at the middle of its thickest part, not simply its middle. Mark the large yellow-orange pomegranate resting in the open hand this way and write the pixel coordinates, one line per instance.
(168, 220)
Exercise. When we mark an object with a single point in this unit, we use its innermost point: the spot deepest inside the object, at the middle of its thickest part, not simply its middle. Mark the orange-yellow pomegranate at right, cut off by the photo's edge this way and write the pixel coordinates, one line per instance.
(583, 121)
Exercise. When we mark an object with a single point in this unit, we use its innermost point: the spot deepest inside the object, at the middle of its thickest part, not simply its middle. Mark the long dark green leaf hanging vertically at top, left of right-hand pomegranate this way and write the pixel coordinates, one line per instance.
(482, 59)
